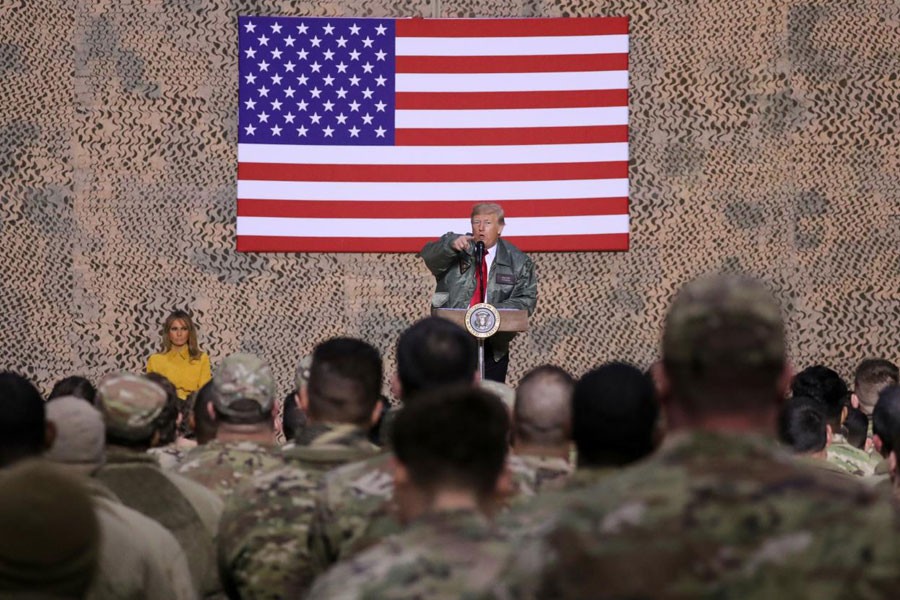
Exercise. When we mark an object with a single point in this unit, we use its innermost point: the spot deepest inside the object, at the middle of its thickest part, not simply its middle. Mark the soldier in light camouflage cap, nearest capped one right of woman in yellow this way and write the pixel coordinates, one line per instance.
(242, 393)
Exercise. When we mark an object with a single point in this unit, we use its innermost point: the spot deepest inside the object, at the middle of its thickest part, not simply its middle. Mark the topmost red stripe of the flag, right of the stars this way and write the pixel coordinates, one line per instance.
(511, 27)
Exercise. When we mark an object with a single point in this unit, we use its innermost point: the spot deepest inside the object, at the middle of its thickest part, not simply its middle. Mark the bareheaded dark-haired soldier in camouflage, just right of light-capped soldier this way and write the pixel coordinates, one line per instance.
(263, 536)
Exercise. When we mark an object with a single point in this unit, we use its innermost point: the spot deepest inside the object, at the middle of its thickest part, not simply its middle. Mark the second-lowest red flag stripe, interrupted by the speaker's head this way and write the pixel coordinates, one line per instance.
(422, 209)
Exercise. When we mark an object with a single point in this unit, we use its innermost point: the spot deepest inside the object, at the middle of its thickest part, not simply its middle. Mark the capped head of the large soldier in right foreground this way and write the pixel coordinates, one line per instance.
(723, 345)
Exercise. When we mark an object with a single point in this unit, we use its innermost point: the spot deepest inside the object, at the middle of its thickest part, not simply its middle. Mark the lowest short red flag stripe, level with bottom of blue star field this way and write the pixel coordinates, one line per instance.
(511, 136)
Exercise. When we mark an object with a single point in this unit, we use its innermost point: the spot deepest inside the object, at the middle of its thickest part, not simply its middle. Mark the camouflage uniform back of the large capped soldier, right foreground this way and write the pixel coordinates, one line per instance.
(712, 516)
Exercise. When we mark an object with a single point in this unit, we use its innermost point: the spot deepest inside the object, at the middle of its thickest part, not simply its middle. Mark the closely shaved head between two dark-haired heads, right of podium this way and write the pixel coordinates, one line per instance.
(542, 414)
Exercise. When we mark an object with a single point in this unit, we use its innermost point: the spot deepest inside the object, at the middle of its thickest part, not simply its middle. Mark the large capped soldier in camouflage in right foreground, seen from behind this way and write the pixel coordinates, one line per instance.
(719, 511)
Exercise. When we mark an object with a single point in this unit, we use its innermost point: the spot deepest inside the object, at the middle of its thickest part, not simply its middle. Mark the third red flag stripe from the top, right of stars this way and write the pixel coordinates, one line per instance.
(490, 100)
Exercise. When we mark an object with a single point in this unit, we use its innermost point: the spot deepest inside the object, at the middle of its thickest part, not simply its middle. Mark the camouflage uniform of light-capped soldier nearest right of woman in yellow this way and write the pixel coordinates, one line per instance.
(223, 466)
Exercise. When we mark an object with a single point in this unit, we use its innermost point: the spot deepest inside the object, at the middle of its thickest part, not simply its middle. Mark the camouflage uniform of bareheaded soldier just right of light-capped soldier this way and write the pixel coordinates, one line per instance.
(263, 546)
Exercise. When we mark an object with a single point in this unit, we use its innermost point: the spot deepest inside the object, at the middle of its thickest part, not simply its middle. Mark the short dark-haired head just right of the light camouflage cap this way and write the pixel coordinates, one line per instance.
(344, 382)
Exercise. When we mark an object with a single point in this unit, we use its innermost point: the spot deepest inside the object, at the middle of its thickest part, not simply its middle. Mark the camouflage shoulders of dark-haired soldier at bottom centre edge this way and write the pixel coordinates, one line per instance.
(442, 555)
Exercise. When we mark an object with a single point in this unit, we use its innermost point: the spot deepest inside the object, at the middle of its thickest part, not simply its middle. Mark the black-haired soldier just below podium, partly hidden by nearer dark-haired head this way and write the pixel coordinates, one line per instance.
(354, 508)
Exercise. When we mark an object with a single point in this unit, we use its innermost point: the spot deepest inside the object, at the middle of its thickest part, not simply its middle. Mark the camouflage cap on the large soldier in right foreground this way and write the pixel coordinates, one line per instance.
(724, 319)
